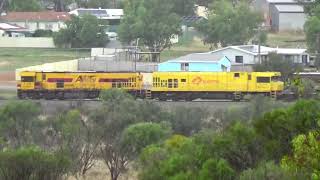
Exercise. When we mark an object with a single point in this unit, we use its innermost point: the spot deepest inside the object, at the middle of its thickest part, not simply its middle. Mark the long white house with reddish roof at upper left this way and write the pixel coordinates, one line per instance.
(46, 20)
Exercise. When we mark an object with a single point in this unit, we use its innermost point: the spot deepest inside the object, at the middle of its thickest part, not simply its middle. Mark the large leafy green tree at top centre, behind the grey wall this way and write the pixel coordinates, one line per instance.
(148, 21)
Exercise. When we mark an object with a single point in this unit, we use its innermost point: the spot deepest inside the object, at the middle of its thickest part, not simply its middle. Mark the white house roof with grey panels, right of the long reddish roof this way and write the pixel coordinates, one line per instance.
(99, 13)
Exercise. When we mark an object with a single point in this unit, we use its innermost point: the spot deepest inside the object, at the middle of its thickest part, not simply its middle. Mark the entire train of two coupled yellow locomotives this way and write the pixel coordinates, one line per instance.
(163, 85)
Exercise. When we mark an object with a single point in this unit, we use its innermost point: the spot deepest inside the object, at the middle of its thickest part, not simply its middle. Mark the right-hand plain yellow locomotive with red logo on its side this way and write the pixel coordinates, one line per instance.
(213, 85)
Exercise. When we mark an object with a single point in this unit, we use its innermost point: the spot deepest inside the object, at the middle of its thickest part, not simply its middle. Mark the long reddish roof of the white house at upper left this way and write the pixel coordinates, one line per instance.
(36, 16)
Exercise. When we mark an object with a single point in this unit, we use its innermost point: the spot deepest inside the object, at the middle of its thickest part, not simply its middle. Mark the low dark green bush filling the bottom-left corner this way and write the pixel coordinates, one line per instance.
(32, 163)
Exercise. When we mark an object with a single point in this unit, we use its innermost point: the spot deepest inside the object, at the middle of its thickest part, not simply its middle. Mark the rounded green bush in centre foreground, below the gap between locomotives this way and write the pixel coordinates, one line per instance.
(140, 135)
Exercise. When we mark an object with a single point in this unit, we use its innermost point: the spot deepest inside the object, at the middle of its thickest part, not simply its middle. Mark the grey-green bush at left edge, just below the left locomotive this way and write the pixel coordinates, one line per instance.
(18, 122)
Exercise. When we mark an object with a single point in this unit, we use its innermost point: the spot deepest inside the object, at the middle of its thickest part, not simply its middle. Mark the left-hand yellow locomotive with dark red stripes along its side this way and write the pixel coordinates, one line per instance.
(61, 85)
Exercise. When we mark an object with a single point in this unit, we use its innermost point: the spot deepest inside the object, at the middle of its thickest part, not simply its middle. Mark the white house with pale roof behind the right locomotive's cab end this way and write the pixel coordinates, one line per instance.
(249, 54)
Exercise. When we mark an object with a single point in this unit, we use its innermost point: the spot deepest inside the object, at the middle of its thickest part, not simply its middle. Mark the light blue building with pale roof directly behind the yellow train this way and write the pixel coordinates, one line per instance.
(196, 62)
